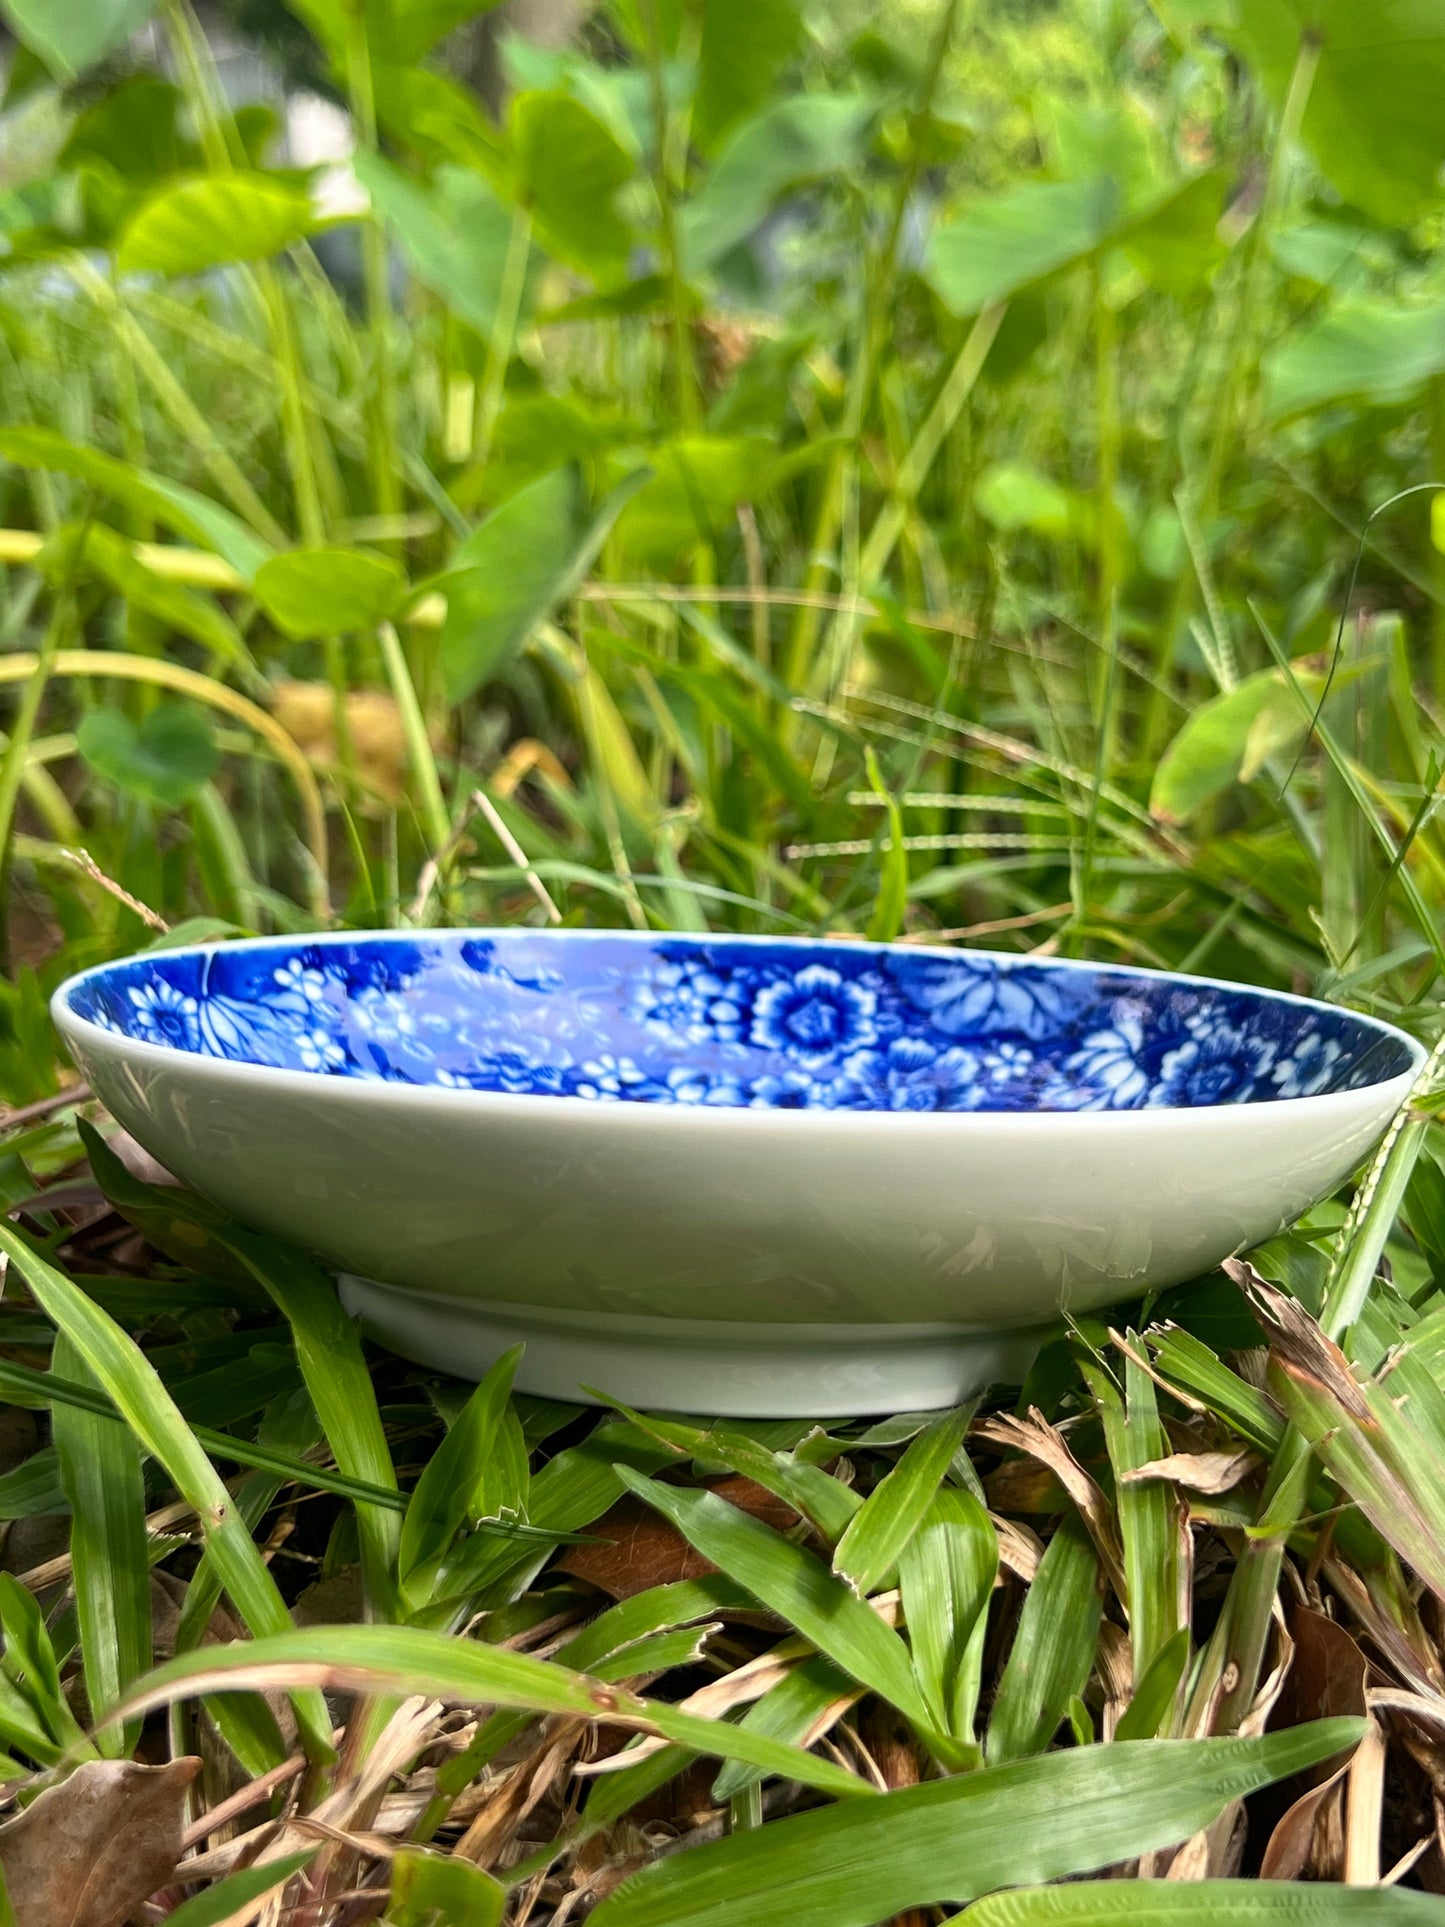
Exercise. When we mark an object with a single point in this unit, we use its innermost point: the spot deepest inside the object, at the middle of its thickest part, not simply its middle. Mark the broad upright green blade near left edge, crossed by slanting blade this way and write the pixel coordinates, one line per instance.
(101, 1471)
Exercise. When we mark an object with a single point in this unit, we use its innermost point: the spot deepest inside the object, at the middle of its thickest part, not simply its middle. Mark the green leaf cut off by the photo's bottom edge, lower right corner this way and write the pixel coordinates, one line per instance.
(1209, 1905)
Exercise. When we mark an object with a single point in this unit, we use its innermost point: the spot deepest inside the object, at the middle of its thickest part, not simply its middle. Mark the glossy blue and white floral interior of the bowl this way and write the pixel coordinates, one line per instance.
(737, 1024)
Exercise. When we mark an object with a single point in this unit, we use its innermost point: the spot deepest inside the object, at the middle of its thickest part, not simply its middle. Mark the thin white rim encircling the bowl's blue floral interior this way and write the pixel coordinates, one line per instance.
(521, 1103)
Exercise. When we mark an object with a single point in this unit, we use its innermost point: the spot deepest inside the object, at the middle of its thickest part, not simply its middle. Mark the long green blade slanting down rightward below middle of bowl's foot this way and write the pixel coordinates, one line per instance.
(793, 1583)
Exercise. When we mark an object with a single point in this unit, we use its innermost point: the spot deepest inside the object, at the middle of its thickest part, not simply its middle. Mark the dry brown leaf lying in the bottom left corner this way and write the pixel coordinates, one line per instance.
(90, 1851)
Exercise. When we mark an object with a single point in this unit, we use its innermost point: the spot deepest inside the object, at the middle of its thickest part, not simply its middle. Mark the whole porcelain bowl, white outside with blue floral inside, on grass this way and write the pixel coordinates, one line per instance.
(731, 1175)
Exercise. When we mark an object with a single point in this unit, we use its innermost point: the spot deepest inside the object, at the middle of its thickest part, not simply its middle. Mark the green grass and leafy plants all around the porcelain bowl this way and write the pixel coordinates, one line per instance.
(957, 475)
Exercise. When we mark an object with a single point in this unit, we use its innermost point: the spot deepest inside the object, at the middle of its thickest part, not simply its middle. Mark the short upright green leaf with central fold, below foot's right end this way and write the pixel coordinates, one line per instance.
(947, 1579)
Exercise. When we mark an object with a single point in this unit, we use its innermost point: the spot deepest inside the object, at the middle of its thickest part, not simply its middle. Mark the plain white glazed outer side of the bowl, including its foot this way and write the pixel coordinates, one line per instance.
(745, 1261)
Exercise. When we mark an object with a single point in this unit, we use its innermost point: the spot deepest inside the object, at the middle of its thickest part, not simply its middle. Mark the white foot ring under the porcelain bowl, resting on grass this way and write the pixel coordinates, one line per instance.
(696, 1365)
